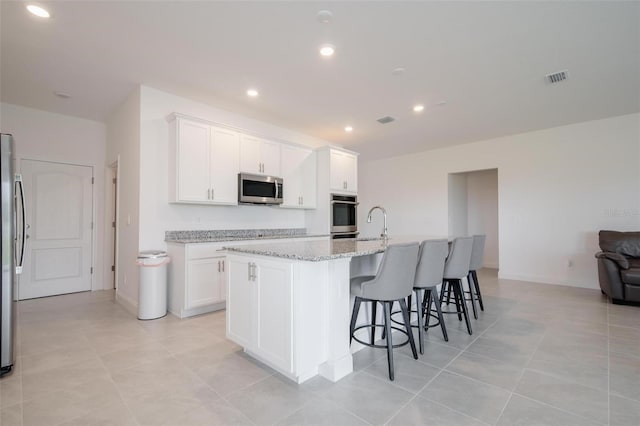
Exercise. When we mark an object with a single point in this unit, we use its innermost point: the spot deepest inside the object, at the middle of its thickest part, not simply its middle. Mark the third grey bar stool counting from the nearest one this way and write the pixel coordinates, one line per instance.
(456, 268)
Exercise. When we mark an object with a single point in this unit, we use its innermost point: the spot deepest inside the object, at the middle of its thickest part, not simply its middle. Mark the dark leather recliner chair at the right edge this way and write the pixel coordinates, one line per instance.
(619, 266)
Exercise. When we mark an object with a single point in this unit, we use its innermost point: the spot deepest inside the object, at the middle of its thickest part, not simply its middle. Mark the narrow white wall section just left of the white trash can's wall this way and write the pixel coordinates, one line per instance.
(123, 146)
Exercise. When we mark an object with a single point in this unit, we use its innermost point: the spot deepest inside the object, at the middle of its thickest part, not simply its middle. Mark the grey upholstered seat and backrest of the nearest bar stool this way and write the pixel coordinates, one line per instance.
(396, 273)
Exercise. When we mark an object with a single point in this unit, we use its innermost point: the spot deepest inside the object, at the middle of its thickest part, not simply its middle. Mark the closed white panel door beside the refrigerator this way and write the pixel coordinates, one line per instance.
(58, 253)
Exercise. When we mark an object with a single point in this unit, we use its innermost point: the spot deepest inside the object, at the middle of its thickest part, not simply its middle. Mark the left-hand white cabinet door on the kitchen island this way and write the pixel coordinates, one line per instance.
(241, 303)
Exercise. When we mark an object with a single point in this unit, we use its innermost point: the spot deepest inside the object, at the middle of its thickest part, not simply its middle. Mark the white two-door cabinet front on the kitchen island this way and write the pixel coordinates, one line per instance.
(260, 305)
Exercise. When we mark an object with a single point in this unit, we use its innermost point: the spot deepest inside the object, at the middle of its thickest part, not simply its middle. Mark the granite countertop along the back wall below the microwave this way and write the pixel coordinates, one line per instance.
(212, 236)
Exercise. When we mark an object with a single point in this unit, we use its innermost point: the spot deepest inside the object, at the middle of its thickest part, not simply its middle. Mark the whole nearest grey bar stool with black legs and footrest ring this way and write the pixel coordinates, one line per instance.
(393, 282)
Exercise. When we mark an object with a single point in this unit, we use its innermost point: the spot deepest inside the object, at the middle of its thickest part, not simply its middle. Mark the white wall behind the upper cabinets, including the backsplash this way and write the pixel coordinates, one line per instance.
(160, 216)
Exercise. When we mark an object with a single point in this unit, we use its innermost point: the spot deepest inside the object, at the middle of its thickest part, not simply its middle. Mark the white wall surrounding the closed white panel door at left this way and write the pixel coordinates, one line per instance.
(42, 135)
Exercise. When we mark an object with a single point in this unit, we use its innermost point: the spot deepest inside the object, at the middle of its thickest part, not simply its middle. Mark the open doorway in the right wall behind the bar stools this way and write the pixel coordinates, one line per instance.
(473, 209)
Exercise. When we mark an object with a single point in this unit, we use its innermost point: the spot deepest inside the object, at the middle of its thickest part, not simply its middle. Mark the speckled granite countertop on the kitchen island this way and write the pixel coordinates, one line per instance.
(316, 251)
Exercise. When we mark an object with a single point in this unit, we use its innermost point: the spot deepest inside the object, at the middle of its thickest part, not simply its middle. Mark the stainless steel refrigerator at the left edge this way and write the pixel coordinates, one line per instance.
(12, 233)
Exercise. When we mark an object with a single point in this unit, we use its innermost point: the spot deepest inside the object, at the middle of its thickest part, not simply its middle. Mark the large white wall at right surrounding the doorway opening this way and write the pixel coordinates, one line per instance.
(557, 188)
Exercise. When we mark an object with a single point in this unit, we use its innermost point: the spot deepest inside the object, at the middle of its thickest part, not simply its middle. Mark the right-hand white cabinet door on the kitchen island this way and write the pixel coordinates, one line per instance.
(274, 313)
